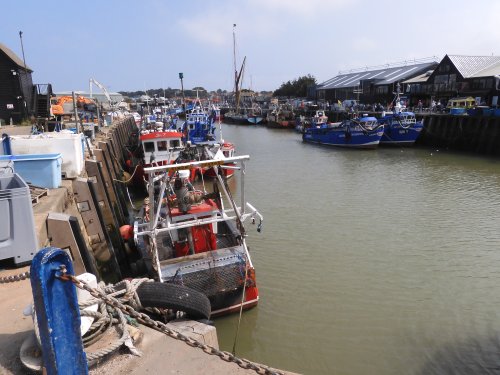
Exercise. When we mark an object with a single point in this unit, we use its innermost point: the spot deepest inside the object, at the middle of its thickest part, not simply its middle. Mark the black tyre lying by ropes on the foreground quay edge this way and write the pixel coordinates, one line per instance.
(175, 297)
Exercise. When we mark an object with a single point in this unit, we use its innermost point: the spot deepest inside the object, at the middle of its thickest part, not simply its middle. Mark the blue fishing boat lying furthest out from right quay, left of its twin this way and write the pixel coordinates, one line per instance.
(364, 132)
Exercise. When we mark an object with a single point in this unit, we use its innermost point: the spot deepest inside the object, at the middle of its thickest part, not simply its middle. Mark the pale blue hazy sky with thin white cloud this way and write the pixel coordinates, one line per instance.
(136, 45)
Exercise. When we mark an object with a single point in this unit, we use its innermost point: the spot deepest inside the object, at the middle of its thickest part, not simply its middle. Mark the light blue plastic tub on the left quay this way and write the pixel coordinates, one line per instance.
(42, 170)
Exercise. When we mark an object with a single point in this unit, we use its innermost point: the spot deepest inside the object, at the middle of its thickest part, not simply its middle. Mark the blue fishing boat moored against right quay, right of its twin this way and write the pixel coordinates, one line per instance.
(401, 127)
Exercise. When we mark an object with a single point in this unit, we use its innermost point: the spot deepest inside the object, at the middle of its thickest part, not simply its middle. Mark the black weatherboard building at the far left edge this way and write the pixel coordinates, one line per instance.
(16, 87)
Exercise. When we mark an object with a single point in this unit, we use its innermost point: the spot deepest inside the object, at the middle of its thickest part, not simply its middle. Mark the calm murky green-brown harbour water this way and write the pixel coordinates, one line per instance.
(370, 262)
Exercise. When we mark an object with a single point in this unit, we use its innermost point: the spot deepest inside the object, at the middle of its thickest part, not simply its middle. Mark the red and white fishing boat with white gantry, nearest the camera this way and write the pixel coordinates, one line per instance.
(187, 236)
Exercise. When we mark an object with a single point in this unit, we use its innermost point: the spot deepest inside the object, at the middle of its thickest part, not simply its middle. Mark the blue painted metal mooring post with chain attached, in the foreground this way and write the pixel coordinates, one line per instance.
(58, 315)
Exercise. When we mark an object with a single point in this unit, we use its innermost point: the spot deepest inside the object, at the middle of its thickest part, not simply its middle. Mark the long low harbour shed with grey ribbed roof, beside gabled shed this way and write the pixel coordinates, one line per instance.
(372, 84)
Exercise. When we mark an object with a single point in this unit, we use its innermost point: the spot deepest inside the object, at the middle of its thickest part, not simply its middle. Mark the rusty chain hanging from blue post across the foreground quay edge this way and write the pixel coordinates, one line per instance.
(159, 326)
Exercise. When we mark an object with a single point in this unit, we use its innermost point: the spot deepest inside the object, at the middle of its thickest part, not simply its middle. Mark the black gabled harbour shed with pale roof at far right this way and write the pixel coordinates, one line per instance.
(460, 76)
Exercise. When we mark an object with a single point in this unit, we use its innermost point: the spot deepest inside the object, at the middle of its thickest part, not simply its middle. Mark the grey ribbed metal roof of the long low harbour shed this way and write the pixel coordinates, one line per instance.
(380, 76)
